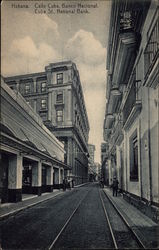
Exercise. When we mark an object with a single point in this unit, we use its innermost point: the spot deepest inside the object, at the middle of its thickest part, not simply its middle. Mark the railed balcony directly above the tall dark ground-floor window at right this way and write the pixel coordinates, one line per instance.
(133, 105)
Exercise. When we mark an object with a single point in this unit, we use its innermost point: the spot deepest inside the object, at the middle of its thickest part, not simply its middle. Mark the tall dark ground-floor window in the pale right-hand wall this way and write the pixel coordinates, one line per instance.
(134, 158)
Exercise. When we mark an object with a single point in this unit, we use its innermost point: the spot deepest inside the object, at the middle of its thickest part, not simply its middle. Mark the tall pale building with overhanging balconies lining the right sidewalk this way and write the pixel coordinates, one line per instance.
(131, 117)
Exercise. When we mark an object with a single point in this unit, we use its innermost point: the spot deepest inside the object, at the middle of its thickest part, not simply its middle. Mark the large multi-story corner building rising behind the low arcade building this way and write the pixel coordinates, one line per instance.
(56, 95)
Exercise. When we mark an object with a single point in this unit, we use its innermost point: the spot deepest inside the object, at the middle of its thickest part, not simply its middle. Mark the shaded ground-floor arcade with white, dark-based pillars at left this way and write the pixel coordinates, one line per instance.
(26, 174)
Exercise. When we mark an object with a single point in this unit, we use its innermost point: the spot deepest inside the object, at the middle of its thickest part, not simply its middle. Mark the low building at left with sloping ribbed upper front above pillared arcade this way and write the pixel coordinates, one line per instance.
(31, 157)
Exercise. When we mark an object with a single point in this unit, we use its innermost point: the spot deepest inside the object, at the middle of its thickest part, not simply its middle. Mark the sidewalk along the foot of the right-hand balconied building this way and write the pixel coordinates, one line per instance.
(144, 227)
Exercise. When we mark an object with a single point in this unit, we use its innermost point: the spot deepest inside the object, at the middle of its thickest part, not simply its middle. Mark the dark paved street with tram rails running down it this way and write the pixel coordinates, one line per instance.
(75, 219)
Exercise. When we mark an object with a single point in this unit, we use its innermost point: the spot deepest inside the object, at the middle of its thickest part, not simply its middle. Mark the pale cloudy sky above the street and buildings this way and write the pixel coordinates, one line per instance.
(30, 40)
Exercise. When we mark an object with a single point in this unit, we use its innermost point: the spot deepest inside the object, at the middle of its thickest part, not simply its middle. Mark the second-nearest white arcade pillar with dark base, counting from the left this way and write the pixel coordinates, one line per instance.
(36, 178)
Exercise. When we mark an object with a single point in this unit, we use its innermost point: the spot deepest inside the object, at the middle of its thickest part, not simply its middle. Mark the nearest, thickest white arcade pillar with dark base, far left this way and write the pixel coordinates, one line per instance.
(15, 178)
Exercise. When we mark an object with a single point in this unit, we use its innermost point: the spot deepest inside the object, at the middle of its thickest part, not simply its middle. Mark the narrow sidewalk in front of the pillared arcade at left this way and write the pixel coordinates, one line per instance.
(28, 200)
